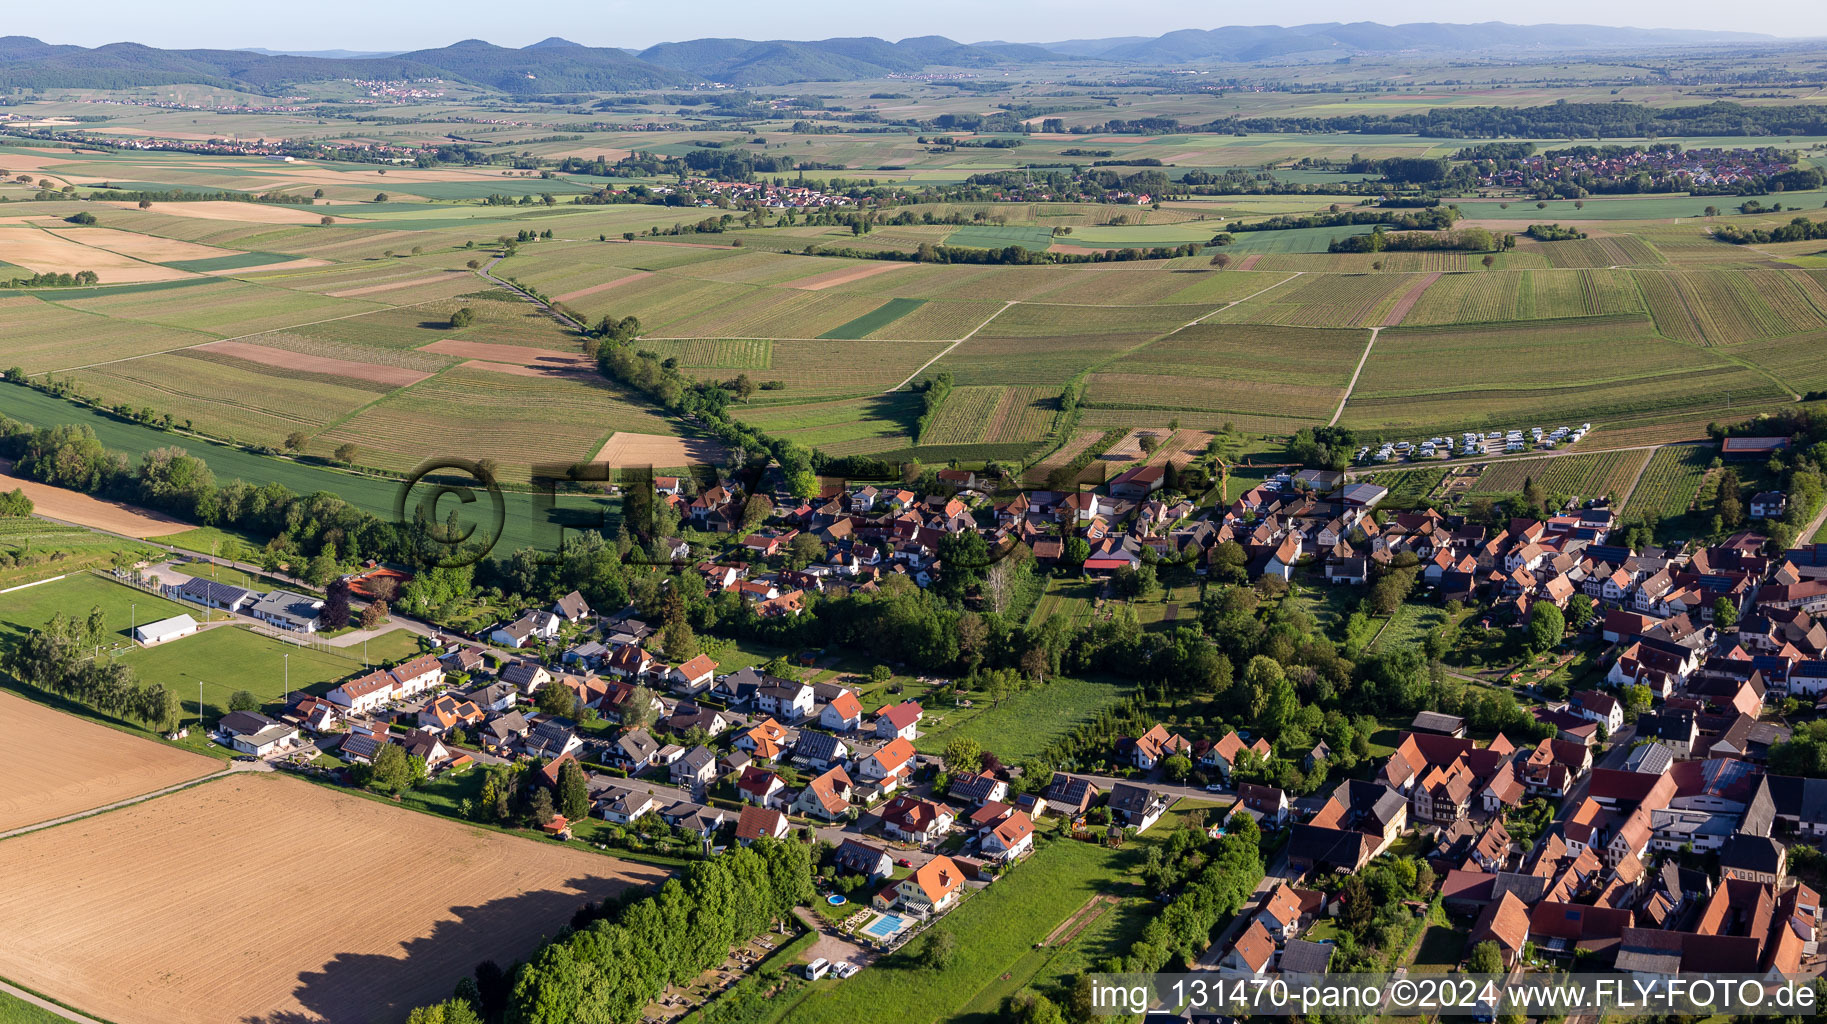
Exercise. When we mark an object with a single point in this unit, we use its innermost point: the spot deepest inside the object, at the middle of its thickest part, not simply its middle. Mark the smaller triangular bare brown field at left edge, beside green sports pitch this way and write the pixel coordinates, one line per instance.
(45, 784)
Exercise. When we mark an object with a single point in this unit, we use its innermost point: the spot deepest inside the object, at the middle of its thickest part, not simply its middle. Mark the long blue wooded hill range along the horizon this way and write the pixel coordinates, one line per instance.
(564, 67)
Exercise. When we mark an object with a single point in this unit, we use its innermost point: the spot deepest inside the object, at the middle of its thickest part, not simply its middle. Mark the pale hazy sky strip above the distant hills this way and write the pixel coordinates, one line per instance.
(414, 25)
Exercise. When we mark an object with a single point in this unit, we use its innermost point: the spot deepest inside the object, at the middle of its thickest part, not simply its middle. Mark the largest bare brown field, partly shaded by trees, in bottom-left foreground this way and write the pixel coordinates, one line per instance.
(266, 899)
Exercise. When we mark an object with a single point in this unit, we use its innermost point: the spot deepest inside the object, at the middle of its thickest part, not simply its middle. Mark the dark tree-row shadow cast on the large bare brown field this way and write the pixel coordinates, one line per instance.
(363, 988)
